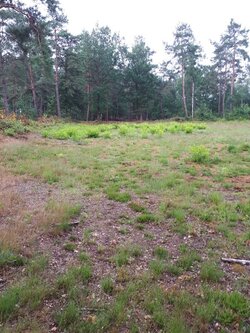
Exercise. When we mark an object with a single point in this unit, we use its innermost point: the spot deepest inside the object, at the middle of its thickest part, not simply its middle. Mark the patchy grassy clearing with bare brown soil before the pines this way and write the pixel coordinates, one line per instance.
(122, 227)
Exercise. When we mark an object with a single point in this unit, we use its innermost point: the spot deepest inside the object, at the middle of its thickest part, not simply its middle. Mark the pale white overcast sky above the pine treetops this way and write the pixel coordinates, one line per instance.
(156, 20)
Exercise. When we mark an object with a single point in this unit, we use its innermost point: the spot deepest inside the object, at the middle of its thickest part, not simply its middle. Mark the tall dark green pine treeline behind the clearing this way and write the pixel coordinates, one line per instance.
(95, 76)
